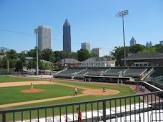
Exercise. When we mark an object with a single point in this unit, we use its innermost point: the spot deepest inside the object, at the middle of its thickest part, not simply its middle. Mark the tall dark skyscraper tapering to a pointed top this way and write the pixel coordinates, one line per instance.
(66, 36)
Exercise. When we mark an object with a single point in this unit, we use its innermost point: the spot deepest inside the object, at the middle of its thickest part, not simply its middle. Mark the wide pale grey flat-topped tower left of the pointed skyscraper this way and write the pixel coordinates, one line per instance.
(43, 34)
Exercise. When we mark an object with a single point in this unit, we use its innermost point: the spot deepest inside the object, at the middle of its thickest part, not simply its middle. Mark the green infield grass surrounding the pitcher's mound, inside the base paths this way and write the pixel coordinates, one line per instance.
(14, 94)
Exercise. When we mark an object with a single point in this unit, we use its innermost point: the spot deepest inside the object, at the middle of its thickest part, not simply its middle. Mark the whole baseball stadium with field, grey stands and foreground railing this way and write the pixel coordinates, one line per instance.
(83, 94)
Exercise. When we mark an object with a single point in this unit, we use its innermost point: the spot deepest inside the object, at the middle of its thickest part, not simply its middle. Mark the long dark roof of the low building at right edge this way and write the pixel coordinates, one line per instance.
(145, 56)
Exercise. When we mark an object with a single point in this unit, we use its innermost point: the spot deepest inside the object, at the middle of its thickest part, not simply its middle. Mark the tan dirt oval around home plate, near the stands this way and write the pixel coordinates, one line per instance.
(100, 92)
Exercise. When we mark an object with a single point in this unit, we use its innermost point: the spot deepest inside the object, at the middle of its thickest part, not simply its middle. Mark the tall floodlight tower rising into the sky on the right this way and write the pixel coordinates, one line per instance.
(122, 14)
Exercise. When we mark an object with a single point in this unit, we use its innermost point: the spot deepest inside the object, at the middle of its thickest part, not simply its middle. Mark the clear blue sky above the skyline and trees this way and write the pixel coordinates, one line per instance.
(92, 21)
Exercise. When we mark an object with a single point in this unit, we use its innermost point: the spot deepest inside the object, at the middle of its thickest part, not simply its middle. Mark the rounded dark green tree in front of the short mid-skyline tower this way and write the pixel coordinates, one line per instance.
(83, 54)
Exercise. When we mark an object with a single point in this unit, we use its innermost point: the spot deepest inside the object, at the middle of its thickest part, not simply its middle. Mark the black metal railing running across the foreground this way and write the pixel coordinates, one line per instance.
(135, 108)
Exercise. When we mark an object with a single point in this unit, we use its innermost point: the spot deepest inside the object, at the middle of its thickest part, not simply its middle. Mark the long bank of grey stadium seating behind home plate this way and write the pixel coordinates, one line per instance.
(116, 72)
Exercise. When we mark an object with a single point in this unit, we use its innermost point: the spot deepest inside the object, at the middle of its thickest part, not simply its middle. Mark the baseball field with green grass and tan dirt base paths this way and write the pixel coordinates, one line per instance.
(22, 91)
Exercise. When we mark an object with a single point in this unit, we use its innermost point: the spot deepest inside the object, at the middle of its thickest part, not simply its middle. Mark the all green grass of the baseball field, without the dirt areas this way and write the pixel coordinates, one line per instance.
(14, 94)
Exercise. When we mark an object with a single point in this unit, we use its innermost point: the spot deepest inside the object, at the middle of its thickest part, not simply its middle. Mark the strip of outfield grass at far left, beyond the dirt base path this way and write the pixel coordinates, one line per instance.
(10, 78)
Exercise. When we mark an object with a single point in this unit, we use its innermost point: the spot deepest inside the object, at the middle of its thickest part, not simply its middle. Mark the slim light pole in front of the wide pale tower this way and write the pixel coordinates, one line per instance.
(37, 68)
